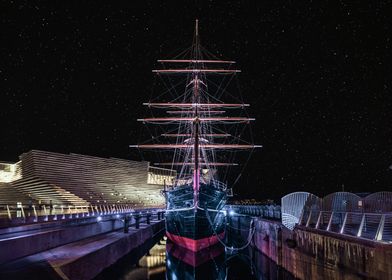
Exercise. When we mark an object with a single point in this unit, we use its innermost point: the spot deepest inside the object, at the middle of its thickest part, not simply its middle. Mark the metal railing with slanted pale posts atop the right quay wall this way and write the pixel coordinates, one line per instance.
(371, 226)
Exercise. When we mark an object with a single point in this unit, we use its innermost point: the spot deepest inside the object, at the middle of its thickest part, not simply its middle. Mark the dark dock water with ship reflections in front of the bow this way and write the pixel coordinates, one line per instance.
(166, 260)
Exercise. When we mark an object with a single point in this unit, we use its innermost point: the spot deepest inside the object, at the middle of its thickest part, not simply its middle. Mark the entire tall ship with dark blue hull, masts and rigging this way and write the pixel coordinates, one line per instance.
(199, 136)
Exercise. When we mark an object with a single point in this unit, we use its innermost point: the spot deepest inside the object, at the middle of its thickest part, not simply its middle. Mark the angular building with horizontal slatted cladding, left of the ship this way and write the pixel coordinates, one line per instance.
(74, 179)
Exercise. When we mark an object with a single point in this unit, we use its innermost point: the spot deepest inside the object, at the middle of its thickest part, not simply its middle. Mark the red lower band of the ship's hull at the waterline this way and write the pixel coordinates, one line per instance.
(192, 244)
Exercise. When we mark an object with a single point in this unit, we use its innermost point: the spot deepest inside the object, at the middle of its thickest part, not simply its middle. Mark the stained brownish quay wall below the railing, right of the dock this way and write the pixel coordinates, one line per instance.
(314, 254)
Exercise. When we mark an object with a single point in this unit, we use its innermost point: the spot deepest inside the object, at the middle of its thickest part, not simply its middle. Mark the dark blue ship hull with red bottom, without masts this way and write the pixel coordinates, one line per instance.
(195, 228)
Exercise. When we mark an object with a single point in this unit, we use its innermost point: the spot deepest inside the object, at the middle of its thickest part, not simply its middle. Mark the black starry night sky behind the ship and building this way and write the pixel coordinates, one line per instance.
(73, 75)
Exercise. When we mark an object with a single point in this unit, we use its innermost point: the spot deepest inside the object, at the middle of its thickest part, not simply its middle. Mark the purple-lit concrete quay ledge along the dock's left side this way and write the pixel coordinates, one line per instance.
(83, 259)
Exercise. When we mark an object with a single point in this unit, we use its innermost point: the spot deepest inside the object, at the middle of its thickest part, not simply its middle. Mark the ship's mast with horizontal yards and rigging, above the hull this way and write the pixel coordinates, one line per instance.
(198, 115)
